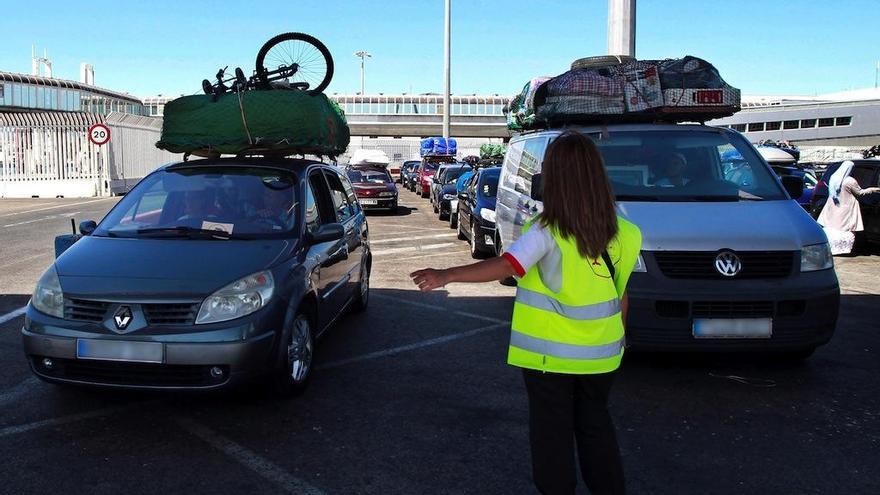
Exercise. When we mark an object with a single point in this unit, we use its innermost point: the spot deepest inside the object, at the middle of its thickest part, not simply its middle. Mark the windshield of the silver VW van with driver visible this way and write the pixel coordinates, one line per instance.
(686, 165)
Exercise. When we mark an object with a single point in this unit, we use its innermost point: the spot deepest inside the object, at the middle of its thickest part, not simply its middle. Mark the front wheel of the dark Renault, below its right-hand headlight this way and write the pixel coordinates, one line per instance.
(296, 352)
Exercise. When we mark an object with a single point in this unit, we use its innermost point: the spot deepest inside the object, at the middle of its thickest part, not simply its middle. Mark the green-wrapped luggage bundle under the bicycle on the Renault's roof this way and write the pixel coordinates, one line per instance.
(284, 122)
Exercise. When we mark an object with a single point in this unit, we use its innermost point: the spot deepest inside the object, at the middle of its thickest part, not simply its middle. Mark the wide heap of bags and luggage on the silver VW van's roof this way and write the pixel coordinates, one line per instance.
(676, 90)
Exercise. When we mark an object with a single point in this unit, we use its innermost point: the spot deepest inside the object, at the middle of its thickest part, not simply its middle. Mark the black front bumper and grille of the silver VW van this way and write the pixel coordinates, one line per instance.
(661, 313)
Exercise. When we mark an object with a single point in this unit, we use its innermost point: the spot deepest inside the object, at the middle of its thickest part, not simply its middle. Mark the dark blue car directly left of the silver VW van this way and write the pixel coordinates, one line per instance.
(476, 212)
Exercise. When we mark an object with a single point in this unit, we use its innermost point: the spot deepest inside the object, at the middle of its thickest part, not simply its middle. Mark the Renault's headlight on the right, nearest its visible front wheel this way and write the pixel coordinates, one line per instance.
(240, 298)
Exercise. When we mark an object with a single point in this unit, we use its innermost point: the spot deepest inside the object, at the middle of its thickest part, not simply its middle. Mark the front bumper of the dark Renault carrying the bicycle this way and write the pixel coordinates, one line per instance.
(190, 359)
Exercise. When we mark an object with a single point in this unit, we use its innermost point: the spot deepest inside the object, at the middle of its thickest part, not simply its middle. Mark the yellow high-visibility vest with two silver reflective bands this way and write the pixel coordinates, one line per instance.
(578, 330)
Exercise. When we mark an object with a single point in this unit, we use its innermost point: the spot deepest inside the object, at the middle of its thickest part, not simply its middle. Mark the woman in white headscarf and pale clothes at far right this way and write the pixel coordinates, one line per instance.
(841, 217)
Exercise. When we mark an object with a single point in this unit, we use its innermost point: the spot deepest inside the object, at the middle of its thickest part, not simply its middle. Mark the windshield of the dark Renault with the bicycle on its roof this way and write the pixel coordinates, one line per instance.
(230, 202)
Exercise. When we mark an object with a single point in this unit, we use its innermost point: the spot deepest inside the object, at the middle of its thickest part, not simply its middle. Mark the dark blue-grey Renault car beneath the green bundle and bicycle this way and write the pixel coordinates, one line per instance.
(208, 273)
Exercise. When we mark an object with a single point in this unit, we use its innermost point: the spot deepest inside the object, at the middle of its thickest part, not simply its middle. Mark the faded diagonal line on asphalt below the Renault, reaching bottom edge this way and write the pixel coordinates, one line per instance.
(249, 459)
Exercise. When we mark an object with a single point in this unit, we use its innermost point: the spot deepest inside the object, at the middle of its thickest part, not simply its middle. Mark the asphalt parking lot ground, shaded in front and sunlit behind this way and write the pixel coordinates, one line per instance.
(413, 396)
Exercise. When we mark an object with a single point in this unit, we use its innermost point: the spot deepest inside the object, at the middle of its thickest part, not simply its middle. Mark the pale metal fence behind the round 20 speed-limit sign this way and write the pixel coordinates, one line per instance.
(48, 154)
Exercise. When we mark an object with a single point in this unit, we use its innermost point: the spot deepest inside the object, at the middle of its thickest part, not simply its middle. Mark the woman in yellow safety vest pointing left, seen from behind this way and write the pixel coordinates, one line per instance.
(567, 333)
